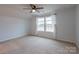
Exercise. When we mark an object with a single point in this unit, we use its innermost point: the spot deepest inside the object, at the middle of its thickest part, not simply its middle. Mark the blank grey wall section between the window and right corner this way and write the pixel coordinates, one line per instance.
(66, 24)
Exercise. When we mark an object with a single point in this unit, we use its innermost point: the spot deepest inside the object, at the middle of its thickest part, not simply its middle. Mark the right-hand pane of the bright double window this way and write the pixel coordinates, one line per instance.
(50, 23)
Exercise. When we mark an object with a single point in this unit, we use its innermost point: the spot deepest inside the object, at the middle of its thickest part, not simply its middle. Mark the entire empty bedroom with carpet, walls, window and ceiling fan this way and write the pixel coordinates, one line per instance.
(39, 29)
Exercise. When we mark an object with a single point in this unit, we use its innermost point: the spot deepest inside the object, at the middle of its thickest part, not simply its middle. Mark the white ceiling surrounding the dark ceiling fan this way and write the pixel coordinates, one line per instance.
(18, 11)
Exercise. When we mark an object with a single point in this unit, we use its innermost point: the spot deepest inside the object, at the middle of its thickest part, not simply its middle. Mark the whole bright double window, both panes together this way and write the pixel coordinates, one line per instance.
(46, 24)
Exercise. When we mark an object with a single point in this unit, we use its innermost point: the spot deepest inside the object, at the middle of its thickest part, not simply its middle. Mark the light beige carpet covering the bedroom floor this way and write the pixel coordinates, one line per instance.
(36, 45)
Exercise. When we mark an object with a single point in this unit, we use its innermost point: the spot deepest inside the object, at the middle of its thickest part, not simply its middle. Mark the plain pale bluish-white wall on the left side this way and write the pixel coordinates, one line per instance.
(12, 27)
